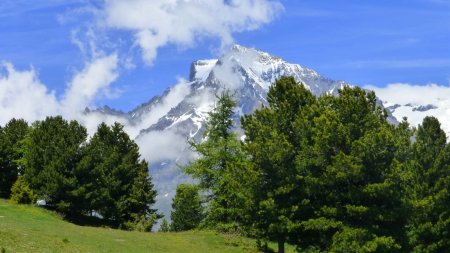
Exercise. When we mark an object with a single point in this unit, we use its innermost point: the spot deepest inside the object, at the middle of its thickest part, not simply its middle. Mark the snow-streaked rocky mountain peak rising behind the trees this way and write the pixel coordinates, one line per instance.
(162, 126)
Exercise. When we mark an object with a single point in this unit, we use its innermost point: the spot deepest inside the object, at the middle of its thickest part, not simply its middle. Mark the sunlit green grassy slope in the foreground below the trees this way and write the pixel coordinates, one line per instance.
(25, 228)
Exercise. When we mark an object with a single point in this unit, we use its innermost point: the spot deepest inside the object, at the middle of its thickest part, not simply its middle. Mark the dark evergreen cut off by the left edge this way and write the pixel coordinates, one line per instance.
(10, 138)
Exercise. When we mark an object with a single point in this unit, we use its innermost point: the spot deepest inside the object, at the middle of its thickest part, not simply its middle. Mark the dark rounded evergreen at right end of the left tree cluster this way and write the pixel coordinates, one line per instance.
(122, 190)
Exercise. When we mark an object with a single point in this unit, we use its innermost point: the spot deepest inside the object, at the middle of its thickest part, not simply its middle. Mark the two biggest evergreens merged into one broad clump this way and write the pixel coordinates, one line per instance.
(330, 171)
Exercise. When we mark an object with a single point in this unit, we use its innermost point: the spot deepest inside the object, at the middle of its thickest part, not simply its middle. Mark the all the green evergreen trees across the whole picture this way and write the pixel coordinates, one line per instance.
(325, 174)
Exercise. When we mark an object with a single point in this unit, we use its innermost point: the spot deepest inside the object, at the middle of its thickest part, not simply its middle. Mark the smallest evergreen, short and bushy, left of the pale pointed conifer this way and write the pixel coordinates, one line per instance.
(186, 208)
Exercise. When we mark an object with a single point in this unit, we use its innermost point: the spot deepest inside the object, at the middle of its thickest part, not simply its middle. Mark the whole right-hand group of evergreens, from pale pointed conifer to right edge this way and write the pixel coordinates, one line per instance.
(329, 174)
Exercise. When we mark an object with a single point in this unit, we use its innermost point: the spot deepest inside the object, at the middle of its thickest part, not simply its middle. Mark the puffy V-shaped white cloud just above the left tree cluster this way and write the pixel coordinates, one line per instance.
(22, 95)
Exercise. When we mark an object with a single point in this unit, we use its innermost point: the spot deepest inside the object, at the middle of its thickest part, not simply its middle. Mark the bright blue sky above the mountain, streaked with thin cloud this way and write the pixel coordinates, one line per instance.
(373, 42)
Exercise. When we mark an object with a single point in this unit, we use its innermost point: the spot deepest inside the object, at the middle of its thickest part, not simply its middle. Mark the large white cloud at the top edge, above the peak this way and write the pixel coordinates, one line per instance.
(157, 23)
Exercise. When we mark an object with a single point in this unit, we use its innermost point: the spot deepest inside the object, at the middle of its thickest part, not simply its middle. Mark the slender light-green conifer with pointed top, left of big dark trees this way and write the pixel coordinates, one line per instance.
(221, 167)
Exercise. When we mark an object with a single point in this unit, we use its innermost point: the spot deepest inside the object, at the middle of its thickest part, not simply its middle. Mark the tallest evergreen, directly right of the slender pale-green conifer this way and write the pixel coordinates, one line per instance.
(272, 143)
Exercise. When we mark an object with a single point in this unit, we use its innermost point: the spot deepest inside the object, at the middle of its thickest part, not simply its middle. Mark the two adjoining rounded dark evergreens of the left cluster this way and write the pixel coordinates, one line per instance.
(105, 175)
